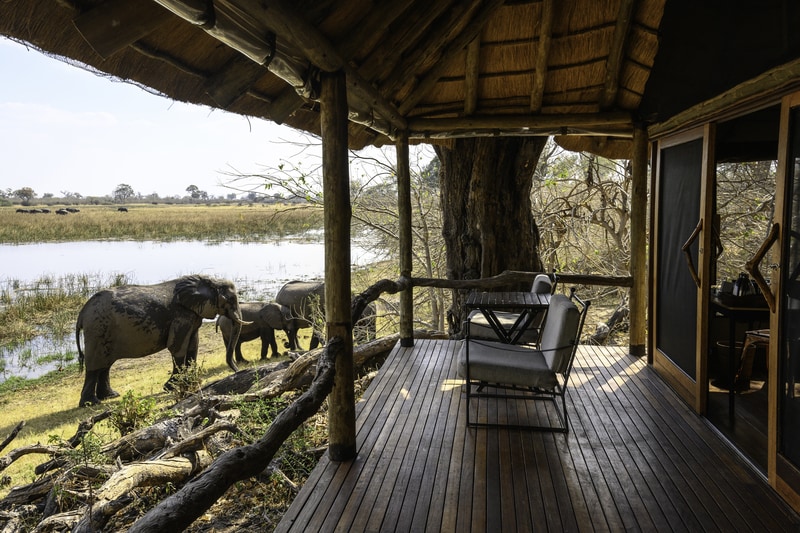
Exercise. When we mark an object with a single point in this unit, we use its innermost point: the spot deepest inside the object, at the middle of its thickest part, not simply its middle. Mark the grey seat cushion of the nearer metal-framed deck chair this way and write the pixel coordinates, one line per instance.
(496, 362)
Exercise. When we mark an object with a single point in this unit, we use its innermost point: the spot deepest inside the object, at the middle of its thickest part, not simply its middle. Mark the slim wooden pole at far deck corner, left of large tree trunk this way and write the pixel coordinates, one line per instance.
(404, 209)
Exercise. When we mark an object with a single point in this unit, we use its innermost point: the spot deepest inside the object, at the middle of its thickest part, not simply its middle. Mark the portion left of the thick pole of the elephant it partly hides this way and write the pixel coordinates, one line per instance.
(304, 300)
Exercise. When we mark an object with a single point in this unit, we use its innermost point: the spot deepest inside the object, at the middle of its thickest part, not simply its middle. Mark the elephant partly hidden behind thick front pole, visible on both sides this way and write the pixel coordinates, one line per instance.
(303, 298)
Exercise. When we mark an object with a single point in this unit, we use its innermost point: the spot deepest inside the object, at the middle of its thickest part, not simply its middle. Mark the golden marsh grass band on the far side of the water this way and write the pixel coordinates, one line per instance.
(161, 223)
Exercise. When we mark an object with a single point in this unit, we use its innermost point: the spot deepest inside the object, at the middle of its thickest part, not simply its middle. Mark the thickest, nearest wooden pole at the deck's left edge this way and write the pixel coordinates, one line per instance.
(336, 194)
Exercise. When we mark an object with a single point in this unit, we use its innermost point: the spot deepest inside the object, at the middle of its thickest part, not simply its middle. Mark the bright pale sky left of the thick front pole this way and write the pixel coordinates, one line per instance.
(65, 129)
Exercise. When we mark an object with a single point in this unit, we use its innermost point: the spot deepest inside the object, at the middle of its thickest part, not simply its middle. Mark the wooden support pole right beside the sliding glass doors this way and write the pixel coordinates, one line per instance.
(638, 266)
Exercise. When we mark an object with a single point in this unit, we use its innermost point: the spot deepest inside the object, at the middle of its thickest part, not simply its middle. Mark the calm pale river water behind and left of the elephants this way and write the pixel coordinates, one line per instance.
(257, 269)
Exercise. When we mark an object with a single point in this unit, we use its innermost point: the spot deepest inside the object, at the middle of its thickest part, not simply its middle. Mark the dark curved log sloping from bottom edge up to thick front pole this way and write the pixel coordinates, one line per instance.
(179, 510)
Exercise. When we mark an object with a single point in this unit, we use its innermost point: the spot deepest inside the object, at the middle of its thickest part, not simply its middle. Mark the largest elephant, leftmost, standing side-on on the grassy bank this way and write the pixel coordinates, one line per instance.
(138, 320)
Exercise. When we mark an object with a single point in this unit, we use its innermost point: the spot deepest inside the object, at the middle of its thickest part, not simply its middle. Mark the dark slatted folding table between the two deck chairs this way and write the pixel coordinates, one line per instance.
(527, 304)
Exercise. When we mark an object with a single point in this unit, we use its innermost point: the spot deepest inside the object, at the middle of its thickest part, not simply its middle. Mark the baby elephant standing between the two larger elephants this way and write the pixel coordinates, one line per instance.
(264, 319)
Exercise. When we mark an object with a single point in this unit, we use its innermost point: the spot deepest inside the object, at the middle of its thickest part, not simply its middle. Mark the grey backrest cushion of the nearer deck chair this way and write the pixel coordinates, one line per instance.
(559, 332)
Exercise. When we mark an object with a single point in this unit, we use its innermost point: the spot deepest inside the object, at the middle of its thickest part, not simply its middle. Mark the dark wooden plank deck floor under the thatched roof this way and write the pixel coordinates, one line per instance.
(636, 458)
